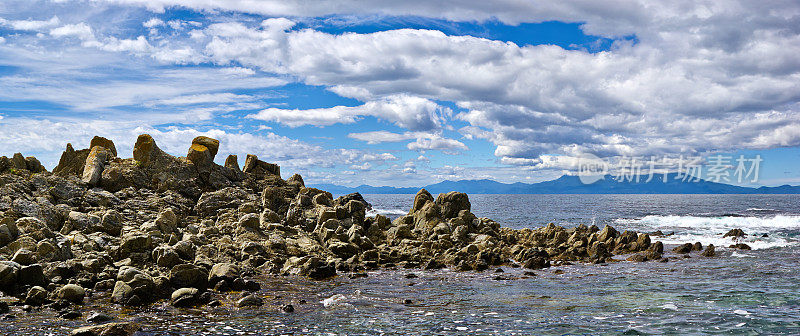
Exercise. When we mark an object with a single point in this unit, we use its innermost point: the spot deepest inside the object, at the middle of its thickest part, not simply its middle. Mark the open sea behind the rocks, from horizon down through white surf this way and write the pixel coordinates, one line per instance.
(692, 218)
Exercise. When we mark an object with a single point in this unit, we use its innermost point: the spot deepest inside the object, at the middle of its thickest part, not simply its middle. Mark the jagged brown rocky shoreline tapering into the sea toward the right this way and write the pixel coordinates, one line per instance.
(185, 230)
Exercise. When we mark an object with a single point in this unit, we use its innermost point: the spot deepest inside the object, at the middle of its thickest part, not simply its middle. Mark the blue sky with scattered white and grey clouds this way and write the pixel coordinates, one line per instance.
(408, 93)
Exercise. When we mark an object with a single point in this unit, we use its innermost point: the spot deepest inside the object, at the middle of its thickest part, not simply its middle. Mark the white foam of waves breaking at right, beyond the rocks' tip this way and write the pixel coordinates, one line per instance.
(709, 230)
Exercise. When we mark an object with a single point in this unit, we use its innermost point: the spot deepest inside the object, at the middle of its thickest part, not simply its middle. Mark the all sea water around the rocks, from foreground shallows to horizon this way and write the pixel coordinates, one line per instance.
(736, 293)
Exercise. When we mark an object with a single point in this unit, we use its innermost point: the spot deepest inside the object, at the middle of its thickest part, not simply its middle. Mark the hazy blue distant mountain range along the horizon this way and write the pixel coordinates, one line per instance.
(571, 185)
